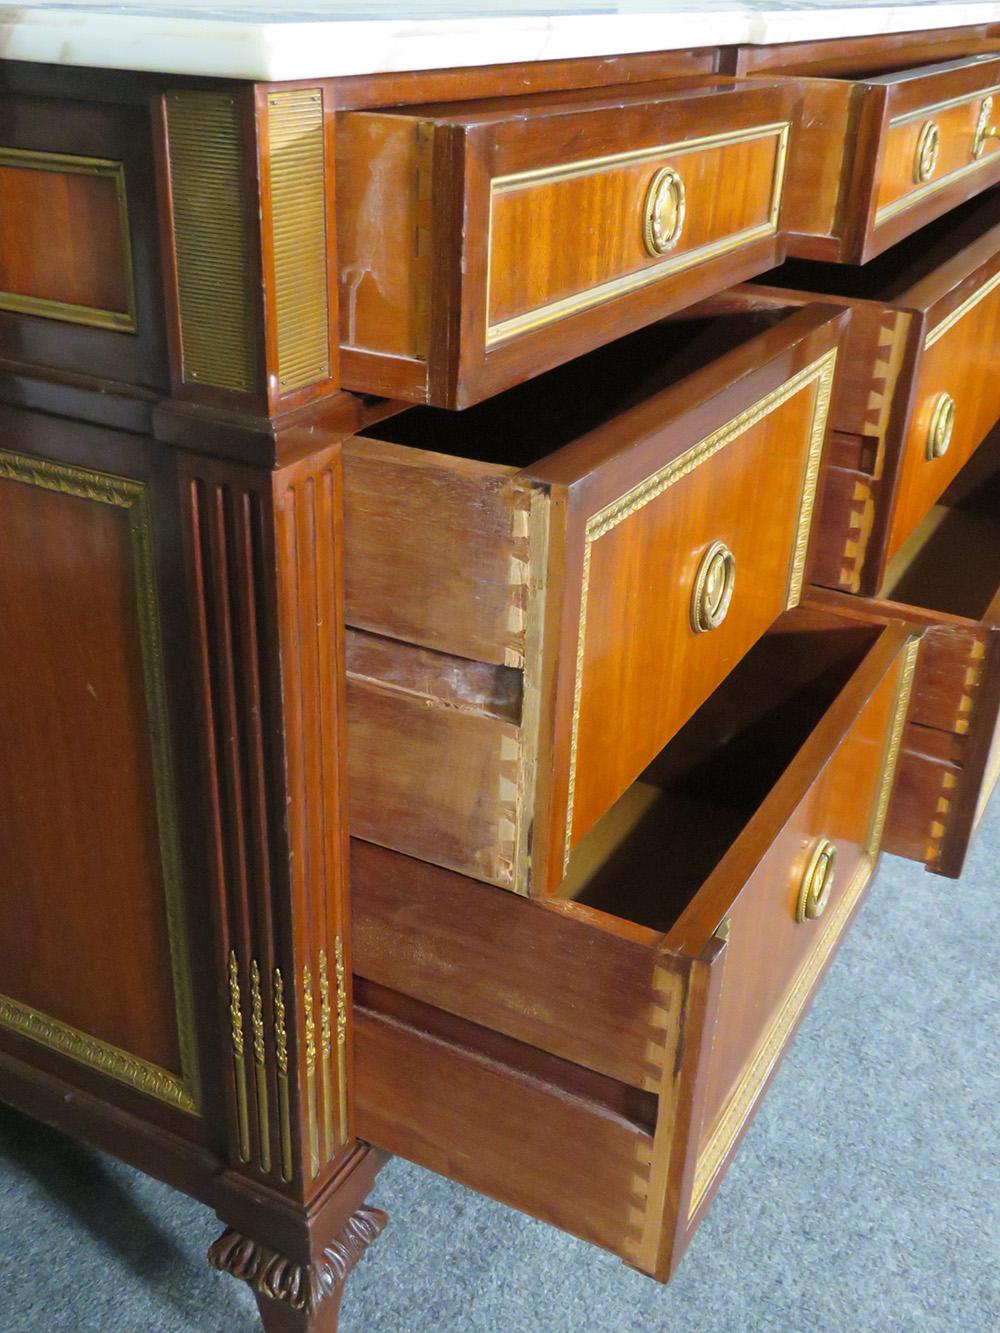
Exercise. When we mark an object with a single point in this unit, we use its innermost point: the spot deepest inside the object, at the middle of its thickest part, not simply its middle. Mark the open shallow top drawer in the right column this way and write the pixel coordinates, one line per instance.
(882, 151)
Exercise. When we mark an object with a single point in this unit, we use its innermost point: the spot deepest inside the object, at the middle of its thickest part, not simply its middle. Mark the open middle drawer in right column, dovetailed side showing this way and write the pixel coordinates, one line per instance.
(919, 387)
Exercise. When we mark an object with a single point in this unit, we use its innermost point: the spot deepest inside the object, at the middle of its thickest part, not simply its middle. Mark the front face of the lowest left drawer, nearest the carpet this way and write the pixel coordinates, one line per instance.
(791, 912)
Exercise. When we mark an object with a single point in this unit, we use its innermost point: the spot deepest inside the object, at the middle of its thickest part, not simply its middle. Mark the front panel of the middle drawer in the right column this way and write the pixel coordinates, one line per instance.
(955, 398)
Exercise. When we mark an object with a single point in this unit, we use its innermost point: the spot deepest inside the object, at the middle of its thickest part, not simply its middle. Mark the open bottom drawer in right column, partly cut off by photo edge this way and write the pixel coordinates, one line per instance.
(947, 578)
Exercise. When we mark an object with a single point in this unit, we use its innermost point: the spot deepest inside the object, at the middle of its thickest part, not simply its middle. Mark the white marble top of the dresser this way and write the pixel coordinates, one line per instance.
(313, 39)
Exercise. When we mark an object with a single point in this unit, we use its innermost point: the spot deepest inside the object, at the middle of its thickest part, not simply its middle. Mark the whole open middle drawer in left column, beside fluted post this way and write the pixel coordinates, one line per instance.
(542, 590)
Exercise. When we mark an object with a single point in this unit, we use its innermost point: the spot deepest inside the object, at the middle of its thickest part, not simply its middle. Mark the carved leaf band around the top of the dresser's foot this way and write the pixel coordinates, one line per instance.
(303, 1287)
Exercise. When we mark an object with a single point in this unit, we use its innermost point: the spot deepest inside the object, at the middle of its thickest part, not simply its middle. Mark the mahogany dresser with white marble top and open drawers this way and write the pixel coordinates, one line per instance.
(499, 529)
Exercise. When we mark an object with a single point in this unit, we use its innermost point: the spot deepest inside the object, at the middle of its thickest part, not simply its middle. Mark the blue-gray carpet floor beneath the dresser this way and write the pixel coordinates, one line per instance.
(865, 1196)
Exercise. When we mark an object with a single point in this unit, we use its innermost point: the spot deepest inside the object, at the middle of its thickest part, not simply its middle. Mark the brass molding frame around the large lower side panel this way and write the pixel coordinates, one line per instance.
(134, 498)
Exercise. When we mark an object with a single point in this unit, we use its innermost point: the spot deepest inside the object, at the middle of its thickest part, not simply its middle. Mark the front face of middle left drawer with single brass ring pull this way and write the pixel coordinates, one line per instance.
(650, 551)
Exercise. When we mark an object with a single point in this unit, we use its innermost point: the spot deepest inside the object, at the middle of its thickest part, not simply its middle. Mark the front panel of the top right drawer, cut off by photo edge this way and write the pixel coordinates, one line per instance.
(938, 145)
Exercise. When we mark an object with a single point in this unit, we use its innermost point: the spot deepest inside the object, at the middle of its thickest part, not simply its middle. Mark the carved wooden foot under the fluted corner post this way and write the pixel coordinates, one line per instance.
(297, 1298)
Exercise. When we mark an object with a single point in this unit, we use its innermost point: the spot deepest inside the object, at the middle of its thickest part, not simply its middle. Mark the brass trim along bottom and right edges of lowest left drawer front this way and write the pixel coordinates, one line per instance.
(714, 1154)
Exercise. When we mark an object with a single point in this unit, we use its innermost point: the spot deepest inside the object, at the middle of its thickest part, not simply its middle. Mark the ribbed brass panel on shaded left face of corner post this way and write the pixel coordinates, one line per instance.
(210, 235)
